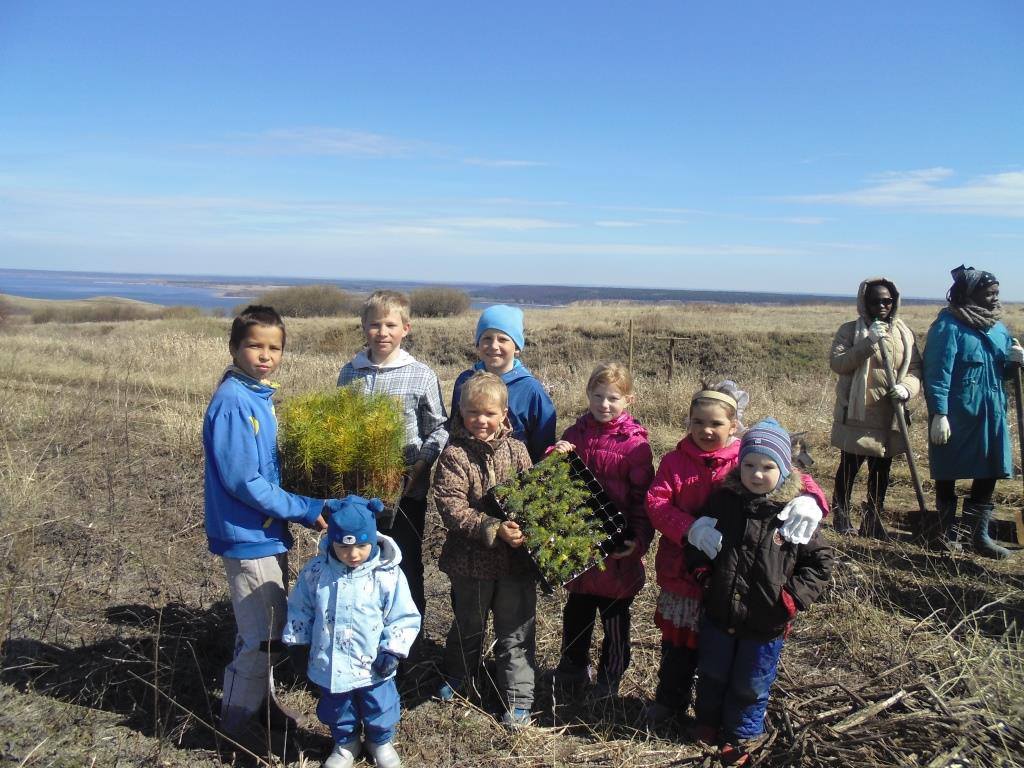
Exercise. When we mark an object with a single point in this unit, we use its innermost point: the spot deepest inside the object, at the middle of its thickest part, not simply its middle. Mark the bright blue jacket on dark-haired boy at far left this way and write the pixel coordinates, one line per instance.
(246, 508)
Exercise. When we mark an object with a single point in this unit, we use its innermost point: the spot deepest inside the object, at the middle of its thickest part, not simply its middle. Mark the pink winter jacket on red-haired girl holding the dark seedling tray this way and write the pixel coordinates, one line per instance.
(619, 455)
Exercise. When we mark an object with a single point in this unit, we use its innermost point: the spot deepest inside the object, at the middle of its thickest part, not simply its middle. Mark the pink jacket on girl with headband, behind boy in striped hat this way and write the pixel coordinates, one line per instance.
(685, 481)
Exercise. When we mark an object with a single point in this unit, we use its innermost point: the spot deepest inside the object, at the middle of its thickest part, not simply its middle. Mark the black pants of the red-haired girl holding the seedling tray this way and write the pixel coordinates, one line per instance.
(578, 630)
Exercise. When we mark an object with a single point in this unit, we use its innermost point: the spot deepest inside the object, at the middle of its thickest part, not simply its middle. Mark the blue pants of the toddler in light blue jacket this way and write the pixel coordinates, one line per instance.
(377, 707)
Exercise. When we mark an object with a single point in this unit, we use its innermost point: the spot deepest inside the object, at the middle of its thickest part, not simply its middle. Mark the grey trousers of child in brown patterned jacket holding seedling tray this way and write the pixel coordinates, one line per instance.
(514, 604)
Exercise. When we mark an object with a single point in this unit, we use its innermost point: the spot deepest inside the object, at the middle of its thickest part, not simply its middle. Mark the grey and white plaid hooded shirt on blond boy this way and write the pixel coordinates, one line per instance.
(423, 411)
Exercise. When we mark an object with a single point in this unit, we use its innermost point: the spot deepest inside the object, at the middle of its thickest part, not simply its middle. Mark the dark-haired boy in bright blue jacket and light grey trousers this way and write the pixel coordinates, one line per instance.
(247, 511)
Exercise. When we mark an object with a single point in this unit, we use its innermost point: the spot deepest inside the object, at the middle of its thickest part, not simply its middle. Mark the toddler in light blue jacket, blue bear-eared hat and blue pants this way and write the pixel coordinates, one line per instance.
(352, 605)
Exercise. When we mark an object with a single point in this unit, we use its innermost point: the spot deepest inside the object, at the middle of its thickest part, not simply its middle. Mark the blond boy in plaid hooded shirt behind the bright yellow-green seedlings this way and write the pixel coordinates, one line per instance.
(386, 367)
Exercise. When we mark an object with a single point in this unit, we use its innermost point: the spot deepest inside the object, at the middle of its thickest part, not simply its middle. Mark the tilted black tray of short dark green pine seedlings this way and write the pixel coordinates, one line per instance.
(570, 524)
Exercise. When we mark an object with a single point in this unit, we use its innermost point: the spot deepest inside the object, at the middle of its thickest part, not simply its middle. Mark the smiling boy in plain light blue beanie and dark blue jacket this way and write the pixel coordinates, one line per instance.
(499, 343)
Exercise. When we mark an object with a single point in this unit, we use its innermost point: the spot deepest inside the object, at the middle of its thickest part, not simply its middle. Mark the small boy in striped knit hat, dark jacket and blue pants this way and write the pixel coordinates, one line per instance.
(756, 582)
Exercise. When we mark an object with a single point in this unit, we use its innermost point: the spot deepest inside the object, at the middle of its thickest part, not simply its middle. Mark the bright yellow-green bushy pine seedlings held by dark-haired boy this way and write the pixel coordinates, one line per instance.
(344, 442)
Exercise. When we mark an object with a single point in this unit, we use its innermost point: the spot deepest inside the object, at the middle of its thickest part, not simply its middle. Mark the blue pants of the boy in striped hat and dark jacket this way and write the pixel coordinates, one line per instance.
(735, 677)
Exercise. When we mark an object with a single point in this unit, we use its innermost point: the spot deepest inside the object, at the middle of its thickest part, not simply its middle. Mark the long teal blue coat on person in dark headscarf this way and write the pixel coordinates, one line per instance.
(964, 373)
